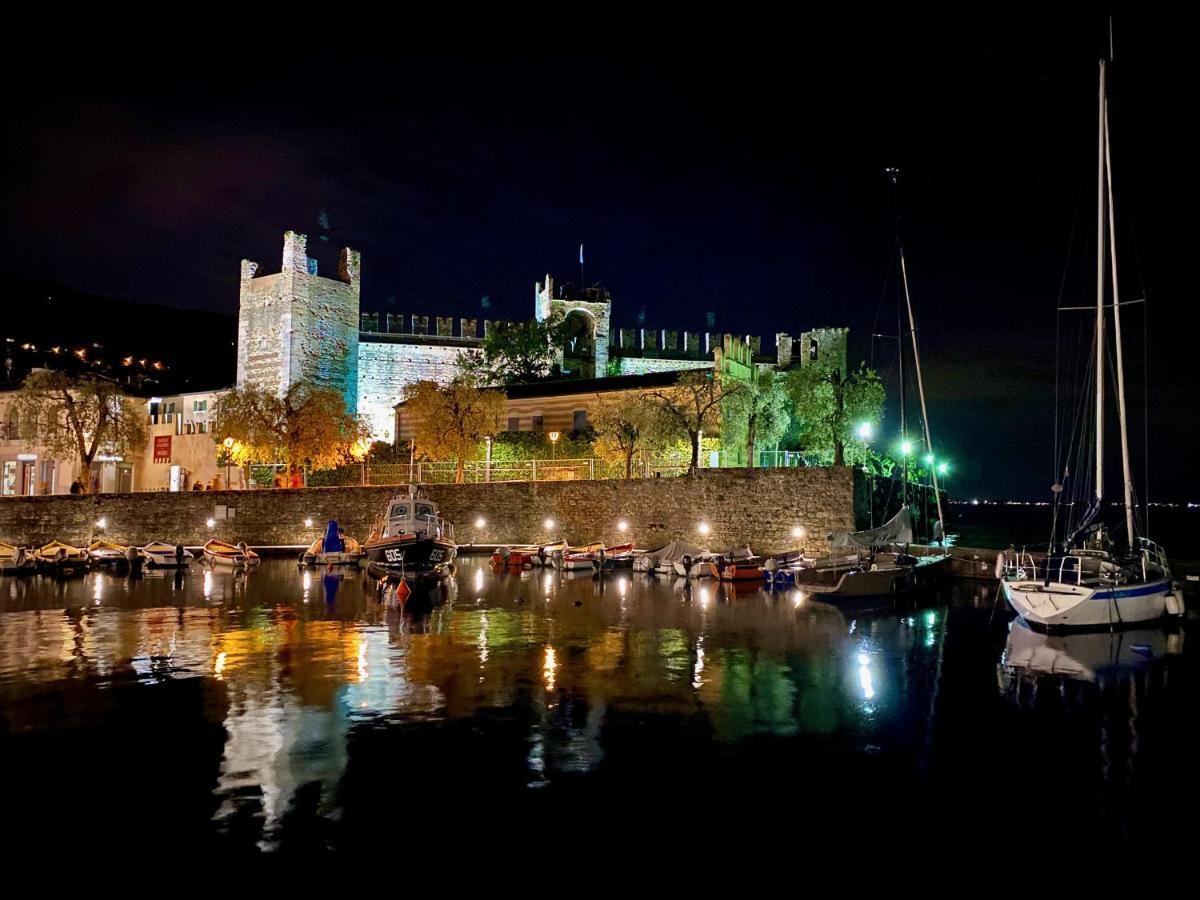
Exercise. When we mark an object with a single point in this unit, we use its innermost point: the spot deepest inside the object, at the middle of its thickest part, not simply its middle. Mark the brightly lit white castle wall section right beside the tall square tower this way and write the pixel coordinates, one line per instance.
(387, 369)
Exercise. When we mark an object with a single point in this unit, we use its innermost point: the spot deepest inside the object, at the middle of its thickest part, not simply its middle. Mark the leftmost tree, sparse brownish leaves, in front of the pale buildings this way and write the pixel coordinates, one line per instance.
(81, 417)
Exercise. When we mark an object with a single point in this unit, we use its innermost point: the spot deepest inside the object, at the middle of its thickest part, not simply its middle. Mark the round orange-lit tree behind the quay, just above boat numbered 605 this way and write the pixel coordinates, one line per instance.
(451, 421)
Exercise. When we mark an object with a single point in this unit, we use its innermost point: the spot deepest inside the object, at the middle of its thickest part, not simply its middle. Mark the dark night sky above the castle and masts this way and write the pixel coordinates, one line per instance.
(736, 171)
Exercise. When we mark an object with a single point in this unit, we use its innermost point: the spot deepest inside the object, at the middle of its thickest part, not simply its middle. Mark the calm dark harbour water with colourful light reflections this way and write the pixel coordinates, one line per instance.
(283, 711)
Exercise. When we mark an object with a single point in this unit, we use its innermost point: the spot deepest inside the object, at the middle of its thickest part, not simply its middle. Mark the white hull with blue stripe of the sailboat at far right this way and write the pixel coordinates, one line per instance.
(1057, 605)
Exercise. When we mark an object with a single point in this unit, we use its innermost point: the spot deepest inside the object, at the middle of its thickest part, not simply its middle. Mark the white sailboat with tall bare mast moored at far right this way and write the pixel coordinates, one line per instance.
(1085, 581)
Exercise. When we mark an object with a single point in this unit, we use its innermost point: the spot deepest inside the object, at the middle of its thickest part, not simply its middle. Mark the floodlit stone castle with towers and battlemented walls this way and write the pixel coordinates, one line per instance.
(299, 326)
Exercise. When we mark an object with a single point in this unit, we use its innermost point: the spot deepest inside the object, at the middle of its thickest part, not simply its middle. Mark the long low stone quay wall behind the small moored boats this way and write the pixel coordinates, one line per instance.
(759, 507)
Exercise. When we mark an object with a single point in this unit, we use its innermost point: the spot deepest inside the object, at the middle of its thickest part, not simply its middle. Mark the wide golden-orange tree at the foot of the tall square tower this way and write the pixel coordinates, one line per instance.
(308, 427)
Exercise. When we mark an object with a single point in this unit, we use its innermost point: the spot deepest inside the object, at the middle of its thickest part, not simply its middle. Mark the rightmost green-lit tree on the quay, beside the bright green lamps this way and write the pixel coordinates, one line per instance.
(831, 407)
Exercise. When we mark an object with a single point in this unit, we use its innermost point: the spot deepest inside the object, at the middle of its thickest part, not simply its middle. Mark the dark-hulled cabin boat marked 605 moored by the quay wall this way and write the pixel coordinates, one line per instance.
(411, 541)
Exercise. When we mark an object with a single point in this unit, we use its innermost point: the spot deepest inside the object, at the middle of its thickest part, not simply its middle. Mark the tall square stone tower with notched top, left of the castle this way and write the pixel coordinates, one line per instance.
(297, 326)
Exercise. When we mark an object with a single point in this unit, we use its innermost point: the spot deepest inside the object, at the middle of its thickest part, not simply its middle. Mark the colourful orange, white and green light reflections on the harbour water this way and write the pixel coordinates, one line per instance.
(307, 673)
